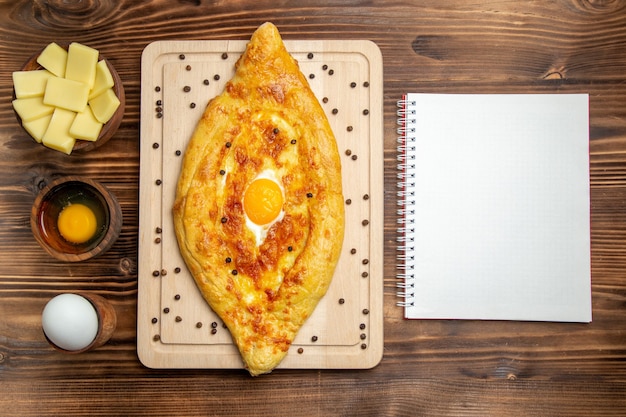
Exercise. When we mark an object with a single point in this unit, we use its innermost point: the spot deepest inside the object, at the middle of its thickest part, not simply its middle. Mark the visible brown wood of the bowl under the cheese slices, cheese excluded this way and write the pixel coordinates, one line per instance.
(110, 127)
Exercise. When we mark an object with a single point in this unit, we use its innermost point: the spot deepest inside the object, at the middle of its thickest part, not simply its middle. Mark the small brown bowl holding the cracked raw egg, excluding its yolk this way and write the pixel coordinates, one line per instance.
(75, 190)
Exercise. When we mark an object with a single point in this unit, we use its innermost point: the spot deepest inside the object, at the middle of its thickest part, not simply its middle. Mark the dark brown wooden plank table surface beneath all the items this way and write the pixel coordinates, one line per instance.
(461, 368)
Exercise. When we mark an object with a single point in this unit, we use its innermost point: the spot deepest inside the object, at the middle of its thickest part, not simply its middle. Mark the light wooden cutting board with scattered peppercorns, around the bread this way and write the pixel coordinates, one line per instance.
(175, 326)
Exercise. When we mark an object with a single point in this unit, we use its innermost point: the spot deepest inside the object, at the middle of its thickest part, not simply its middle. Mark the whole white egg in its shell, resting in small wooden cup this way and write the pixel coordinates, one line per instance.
(70, 321)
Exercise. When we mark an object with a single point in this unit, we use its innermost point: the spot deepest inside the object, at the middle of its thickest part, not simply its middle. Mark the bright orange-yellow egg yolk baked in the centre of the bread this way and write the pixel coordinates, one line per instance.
(262, 201)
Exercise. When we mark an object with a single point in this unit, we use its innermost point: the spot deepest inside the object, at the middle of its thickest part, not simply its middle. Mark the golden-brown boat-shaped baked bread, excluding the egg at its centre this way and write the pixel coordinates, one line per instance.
(266, 120)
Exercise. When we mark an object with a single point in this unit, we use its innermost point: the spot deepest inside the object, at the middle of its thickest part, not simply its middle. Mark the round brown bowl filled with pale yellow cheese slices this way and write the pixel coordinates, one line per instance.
(68, 98)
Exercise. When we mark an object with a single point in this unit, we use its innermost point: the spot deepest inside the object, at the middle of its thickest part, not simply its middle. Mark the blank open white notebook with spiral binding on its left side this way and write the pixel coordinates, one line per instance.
(494, 217)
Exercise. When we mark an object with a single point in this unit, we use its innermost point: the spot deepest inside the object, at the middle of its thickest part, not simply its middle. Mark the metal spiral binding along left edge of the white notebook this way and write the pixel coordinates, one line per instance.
(405, 157)
